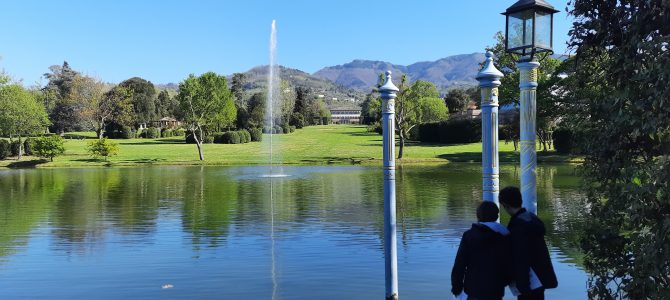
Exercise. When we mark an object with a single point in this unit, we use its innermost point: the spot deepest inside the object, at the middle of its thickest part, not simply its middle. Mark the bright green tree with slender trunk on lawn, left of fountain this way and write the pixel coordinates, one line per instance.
(206, 101)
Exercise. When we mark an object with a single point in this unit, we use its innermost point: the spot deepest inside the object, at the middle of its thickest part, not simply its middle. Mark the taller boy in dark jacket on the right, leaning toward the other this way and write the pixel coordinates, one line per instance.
(532, 270)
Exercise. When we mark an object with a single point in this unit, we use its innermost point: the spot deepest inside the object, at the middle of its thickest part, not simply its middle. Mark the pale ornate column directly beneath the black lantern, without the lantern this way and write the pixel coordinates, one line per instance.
(528, 87)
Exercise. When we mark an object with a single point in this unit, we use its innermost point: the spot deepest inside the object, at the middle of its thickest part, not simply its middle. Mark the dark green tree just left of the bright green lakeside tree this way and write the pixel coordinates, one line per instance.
(144, 99)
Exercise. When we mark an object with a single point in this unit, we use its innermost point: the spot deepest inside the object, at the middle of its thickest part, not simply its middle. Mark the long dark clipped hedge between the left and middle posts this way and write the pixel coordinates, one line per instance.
(459, 131)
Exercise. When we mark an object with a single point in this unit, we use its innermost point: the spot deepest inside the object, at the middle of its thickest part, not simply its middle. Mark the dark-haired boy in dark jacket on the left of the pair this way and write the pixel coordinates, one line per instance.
(482, 263)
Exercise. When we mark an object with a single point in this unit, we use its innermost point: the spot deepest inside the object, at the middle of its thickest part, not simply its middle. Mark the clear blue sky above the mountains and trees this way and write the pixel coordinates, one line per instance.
(164, 41)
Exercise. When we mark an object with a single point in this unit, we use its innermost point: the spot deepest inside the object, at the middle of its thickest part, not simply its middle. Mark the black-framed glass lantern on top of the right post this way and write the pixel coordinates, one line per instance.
(529, 27)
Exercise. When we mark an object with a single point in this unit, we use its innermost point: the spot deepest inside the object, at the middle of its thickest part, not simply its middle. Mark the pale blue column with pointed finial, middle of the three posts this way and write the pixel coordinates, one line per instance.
(489, 80)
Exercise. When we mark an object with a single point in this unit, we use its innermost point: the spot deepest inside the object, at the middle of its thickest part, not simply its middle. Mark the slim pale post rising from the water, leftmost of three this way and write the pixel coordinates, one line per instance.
(388, 94)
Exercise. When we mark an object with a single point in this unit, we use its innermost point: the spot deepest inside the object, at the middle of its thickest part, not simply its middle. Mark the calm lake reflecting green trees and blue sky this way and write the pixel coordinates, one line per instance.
(227, 233)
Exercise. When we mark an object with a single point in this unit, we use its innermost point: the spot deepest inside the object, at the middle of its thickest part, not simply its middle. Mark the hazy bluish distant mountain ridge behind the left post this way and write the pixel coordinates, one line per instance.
(362, 75)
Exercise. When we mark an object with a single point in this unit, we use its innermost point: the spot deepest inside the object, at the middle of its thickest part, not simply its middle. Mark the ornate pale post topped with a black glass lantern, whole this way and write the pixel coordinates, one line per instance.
(529, 31)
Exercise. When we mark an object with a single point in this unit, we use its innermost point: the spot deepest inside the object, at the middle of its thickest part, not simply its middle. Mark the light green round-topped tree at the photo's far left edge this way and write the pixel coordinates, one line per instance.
(21, 114)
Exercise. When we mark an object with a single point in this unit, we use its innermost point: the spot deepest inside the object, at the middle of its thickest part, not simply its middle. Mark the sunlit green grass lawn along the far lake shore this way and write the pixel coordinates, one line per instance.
(332, 144)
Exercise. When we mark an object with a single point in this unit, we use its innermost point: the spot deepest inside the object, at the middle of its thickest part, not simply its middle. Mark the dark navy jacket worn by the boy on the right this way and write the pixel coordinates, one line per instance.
(530, 251)
